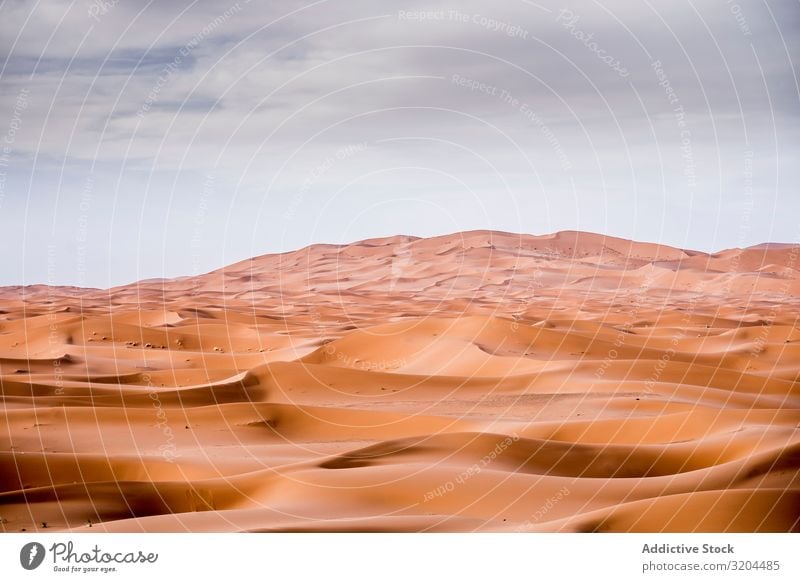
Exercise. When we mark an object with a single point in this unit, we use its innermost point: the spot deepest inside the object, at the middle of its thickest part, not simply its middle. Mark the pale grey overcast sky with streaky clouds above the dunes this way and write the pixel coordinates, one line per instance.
(161, 139)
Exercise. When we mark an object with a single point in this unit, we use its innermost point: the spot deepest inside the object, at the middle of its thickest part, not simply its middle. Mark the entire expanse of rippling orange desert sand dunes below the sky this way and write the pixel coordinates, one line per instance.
(480, 381)
